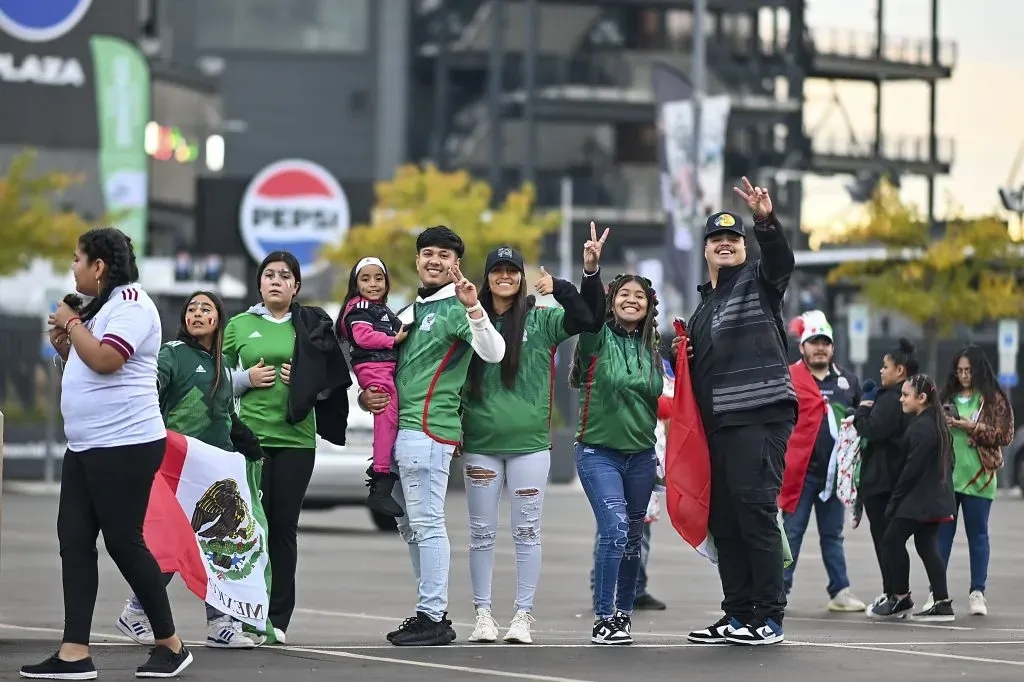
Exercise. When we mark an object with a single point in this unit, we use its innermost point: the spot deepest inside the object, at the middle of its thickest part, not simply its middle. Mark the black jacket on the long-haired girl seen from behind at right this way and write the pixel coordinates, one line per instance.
(924, 491)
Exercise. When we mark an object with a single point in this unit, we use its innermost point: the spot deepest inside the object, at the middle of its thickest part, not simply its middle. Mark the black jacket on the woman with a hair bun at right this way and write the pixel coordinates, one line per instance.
(883, 424)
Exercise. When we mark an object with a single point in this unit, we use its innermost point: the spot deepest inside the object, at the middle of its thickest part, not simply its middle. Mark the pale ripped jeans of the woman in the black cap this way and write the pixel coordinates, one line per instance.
(527, 477)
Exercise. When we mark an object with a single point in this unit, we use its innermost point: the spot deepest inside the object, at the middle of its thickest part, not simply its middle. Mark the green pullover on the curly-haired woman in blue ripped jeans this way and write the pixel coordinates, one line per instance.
(620, 386)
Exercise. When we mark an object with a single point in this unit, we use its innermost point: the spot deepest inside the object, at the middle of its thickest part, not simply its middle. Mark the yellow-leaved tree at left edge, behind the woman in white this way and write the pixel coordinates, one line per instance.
(31, 227)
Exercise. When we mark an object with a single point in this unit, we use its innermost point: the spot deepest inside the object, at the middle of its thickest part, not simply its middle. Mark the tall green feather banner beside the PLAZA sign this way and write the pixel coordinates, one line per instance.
(122, 77)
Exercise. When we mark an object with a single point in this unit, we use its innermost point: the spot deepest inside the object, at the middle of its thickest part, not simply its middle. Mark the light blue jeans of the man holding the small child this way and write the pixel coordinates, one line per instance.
(422, 465)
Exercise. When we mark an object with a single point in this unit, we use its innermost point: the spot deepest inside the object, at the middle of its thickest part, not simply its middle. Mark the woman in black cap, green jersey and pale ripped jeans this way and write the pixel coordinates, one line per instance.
(507, 417)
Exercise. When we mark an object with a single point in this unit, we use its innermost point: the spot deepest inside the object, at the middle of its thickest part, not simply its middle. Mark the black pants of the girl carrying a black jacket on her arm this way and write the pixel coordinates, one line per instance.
(286, 477)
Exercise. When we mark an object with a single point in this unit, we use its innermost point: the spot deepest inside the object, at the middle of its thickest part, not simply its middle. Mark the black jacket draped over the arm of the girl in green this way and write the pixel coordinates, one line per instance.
(321, 375)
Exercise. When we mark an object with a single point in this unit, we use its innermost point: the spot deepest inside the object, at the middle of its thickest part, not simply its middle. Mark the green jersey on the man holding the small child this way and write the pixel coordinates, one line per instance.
(433, 366)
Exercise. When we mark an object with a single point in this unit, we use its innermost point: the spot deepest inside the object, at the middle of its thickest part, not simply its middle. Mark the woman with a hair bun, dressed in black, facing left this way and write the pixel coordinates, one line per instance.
(880, 419)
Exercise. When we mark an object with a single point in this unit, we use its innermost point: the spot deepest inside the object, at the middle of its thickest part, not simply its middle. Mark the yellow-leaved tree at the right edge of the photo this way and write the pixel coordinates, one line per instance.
(969, 277)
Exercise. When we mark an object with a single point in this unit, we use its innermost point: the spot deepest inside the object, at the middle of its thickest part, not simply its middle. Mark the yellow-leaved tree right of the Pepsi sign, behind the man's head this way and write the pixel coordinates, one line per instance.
(418, 198)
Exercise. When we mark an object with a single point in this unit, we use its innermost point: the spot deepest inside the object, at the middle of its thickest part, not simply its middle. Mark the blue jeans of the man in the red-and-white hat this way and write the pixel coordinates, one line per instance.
(831, 517)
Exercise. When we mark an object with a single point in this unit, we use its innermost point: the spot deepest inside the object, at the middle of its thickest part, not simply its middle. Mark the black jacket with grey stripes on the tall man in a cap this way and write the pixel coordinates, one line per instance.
(741, 369)
